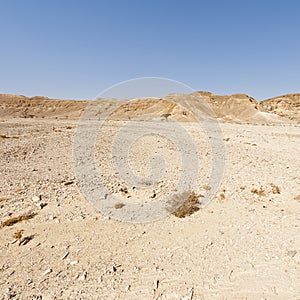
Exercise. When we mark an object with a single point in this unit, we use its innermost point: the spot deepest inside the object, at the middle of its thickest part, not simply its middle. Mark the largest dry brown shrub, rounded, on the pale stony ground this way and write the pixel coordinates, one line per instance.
(183, 205)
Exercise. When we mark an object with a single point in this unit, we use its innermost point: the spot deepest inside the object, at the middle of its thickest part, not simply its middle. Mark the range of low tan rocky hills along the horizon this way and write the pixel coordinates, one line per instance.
(236, 108)
